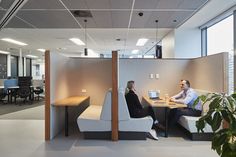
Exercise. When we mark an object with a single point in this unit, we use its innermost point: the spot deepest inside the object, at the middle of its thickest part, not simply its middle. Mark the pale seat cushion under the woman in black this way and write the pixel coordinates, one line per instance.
(136, 124)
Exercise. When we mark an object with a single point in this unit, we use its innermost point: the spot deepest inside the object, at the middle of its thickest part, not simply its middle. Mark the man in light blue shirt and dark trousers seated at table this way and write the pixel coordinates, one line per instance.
(186, 96)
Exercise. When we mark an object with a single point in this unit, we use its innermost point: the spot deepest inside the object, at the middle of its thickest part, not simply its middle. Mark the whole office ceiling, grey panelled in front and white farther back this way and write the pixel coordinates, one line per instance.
(49, 24)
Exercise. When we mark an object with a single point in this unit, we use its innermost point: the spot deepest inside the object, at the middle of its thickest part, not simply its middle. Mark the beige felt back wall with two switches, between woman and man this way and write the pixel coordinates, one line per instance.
(170, 72)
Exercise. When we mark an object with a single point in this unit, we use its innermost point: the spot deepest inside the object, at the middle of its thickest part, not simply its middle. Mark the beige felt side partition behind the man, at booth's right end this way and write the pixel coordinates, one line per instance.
(209, 73)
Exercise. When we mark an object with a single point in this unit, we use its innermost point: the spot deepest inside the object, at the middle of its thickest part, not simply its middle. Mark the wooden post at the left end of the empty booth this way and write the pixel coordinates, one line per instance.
(47, 95)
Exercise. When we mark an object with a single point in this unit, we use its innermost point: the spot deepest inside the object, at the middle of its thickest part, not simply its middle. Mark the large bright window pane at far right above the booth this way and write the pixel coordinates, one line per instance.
(220, 37)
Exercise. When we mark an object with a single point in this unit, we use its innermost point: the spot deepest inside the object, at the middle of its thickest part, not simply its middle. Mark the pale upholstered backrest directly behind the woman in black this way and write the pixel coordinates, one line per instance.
(122, 107)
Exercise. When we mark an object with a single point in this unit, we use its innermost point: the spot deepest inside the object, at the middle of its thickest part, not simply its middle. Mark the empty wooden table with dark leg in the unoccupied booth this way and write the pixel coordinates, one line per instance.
(70, 102)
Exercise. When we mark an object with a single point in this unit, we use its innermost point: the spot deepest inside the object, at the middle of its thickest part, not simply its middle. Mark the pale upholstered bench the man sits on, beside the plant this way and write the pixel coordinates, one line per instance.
(189, 123)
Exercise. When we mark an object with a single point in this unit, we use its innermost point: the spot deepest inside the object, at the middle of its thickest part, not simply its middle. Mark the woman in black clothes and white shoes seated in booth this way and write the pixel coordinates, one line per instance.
(136, 110)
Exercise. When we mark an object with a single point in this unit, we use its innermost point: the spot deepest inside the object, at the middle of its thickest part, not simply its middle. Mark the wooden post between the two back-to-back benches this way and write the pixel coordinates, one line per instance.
(114, 109)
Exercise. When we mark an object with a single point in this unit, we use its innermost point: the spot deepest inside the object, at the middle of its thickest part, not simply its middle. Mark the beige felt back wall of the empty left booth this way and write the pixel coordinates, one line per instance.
(92, 75)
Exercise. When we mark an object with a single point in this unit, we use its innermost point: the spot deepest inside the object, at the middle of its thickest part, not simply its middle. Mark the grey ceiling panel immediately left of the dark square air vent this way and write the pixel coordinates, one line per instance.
(49, 19)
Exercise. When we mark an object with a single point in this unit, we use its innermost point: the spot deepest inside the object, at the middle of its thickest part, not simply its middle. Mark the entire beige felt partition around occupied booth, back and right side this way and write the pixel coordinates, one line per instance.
(206, 73)
